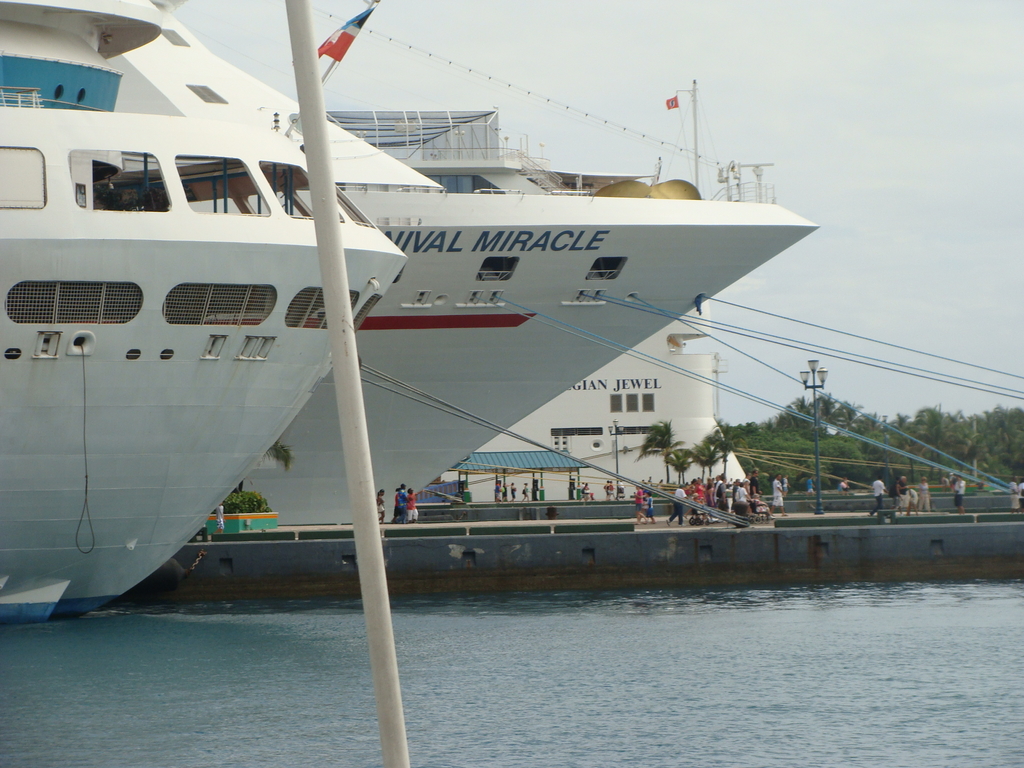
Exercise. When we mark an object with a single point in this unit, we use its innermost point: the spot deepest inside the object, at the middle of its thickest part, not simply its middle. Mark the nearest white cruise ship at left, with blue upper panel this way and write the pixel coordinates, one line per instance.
(159, 274)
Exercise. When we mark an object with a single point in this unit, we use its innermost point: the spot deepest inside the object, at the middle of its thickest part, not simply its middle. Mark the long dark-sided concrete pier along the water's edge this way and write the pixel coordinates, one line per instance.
(604, 554)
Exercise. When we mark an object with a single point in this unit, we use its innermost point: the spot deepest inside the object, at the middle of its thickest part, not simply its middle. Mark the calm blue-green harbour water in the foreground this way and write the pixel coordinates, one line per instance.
(858, 675)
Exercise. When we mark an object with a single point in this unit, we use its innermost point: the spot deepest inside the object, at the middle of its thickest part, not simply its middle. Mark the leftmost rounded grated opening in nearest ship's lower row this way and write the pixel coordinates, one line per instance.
(54, 302)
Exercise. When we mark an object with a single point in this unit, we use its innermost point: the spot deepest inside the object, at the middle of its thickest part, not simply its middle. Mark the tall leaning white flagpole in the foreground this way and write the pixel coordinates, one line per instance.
(370, 556)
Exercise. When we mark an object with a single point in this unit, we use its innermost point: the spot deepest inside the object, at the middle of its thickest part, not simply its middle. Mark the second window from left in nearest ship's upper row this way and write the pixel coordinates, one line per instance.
(118, 182)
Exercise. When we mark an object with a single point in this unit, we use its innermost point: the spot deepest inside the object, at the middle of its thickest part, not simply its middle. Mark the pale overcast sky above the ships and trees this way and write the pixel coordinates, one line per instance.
(897, 127)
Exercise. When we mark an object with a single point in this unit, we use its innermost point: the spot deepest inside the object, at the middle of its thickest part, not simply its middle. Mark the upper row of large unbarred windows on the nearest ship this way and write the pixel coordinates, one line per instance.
(113, 181)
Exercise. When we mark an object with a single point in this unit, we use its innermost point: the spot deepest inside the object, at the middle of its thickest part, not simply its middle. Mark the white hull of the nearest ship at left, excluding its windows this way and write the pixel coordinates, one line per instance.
(164, 440)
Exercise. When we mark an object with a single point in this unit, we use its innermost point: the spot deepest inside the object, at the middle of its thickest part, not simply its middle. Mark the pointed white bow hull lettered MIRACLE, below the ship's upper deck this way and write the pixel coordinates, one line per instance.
(676, 250)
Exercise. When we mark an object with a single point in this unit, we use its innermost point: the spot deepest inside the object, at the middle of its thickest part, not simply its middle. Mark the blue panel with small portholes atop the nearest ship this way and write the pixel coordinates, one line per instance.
(63, 86)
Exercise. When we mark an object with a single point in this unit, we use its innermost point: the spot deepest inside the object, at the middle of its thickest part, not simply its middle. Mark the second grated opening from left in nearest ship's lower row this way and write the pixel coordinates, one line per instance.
(219, 305)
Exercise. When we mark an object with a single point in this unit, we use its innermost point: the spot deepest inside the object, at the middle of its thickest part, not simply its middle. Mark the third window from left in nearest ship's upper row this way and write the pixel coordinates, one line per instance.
(221, 186)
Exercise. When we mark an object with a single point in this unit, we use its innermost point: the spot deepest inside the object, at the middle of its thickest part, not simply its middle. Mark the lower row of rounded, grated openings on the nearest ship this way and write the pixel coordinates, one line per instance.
(186, 305)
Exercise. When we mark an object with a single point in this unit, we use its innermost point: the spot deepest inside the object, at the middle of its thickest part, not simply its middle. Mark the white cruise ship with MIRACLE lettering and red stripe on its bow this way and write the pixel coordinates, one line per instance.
(451, 325)
